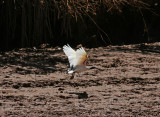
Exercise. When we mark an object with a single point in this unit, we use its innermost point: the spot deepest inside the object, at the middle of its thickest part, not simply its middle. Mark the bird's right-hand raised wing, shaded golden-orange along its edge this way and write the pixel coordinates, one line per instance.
(81, 56)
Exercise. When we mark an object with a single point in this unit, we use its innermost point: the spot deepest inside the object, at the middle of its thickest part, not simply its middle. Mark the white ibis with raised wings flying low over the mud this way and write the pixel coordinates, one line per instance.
(77, 59)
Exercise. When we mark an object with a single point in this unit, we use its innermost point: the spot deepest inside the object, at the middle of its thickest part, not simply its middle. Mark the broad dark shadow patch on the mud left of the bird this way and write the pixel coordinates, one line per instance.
(35, 61)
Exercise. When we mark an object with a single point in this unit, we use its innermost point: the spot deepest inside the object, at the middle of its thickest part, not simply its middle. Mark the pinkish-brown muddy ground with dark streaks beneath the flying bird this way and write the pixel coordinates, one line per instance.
(34, 82)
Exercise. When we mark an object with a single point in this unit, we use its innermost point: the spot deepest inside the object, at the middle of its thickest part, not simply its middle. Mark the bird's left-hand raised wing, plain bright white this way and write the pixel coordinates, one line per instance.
(71, 54)
